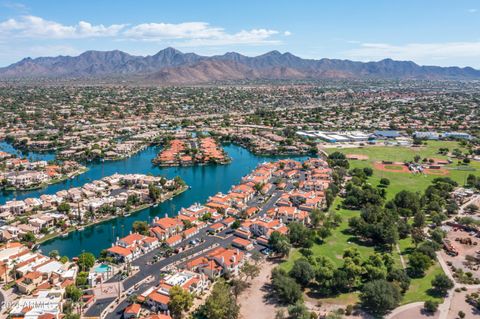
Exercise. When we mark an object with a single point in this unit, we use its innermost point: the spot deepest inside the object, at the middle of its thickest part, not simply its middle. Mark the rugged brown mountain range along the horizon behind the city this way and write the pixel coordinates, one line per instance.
(170, 66)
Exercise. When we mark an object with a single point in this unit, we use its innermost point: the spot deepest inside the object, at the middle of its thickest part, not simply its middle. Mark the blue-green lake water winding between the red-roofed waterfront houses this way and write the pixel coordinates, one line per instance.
(203, 180)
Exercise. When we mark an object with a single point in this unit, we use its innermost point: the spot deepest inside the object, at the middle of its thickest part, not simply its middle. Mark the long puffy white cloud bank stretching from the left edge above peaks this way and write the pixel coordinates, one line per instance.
(182, 34)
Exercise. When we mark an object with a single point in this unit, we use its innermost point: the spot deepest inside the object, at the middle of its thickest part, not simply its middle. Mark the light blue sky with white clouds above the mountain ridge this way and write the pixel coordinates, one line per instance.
(430, 32)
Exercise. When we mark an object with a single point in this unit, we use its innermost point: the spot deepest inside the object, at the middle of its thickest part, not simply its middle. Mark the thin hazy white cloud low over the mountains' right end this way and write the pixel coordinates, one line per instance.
(423, 52)
